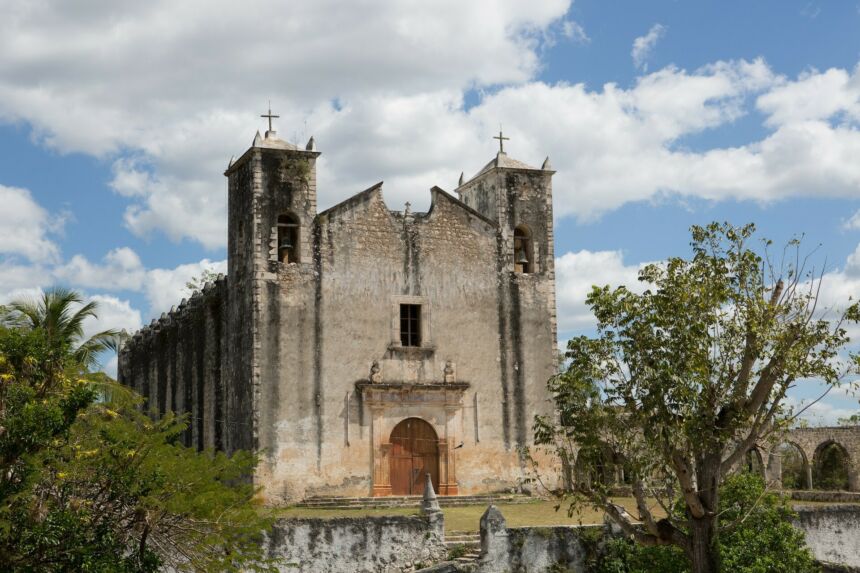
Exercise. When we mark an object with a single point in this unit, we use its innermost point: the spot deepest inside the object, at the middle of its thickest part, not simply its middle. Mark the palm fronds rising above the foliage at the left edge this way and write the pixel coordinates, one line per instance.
(59, 313)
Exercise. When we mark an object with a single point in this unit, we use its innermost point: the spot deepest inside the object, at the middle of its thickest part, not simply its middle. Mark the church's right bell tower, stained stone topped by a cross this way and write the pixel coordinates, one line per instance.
(519, 198)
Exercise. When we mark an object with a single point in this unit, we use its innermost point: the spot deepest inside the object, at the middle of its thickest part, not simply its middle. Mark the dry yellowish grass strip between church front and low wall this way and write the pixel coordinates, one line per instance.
(467, 518)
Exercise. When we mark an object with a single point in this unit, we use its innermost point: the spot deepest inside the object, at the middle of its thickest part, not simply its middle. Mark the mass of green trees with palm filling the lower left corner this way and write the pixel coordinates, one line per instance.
(90, 485)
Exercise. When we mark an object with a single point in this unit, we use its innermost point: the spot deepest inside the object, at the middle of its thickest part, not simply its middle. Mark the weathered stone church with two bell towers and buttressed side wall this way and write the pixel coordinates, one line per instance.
(359, 348)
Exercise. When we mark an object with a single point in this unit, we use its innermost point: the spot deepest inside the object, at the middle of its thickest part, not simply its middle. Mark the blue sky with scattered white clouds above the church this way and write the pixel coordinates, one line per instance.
(117, 119)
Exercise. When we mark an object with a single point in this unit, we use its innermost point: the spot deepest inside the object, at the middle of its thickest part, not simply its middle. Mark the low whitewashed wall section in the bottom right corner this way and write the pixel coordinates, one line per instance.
(832, 533)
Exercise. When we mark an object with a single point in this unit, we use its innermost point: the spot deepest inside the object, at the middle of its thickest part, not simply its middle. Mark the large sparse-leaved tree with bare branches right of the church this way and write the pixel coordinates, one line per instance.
(683, 379)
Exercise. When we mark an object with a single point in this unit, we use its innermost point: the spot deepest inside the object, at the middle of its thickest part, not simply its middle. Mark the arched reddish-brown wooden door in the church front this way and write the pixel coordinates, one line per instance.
(414, 452)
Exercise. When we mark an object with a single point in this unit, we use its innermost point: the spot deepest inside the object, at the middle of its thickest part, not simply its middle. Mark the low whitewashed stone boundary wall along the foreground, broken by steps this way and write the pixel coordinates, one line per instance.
(394, 544)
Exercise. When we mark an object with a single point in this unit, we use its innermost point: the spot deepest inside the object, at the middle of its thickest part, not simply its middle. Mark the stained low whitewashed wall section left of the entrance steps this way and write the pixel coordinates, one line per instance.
(361, 545)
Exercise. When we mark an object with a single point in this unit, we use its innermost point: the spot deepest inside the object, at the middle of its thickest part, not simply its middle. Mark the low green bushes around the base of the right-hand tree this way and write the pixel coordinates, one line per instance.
(761, 541)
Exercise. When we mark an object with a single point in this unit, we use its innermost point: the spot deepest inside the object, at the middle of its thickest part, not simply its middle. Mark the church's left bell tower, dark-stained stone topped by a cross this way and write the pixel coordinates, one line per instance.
(271, 206)
